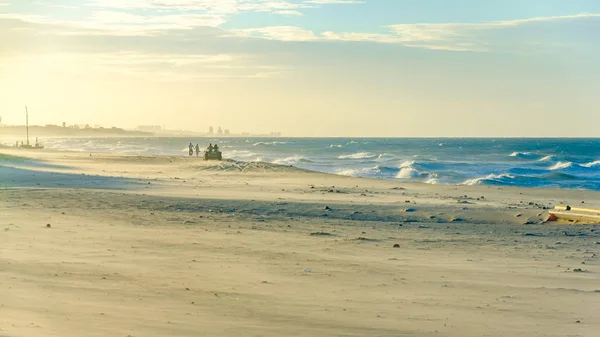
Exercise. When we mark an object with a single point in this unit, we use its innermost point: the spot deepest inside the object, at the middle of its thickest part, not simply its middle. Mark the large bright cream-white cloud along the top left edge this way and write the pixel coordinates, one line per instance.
(147, 17)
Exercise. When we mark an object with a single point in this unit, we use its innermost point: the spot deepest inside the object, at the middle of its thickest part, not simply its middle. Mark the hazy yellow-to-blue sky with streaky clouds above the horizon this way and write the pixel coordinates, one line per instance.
(314, 68)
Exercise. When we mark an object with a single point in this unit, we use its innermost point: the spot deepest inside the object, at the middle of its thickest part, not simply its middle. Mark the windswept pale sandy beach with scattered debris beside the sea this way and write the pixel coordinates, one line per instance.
(114, 245)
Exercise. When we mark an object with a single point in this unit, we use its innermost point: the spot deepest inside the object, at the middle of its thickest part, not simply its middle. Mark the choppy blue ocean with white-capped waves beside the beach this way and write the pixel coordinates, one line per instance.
(558, 163)
